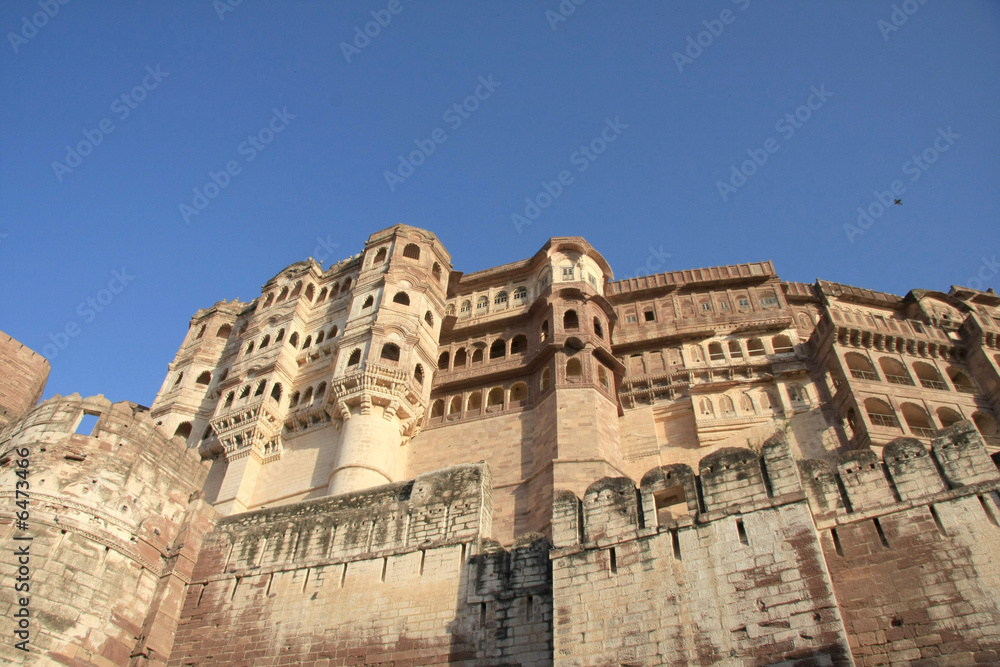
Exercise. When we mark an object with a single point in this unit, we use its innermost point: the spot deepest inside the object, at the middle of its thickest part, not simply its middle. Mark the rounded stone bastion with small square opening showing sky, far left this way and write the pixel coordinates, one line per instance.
(116, 523)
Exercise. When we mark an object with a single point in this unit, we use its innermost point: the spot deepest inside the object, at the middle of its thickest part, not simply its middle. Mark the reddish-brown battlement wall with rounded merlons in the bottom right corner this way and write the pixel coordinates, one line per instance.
(911, 544)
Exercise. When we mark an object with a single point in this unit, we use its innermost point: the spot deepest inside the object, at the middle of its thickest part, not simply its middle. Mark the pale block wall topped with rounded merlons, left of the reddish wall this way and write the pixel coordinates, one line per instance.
(667, 574)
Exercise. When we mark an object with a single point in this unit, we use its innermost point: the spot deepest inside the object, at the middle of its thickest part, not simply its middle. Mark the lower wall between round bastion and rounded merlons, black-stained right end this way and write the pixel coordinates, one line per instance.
(399, 574)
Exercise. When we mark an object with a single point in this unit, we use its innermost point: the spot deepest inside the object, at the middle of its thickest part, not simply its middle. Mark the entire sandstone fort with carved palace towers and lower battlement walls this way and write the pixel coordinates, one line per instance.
(388, 461)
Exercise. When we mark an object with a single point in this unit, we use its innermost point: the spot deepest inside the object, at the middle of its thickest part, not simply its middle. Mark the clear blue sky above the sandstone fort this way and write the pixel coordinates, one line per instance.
(681, 126)
